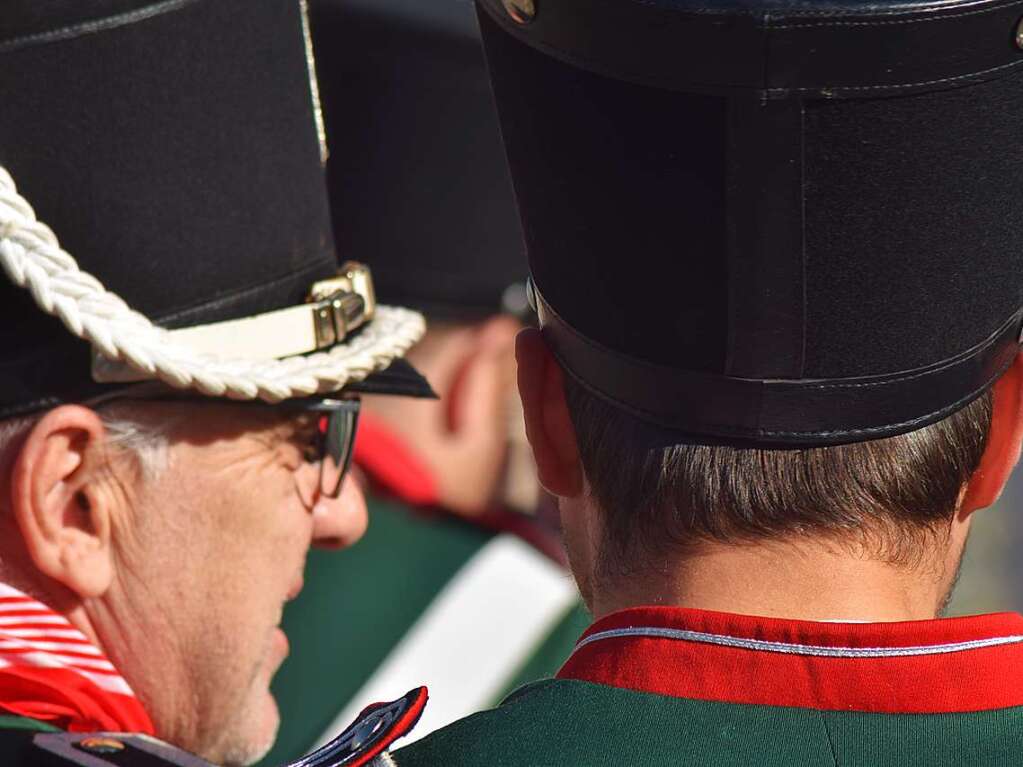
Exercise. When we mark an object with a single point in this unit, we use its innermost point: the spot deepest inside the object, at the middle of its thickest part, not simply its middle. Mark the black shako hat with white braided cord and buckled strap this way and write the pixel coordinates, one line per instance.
(175, 154)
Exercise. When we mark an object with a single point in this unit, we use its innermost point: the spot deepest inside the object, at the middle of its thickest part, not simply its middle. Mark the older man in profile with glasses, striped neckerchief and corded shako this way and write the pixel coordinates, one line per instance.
(160, 488)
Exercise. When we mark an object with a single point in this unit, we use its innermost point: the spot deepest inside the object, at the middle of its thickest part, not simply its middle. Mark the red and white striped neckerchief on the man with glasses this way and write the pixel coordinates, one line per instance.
(52, 672)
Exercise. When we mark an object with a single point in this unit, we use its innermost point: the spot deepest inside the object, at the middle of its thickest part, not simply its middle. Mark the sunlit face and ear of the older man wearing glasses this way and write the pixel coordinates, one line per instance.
(181, 580)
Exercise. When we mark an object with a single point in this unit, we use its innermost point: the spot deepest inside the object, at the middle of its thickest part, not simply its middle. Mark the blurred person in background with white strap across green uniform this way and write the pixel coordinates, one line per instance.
(459, 583)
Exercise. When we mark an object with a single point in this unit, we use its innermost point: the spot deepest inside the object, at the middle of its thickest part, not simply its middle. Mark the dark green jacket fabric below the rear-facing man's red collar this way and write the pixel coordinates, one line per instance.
(568, 723)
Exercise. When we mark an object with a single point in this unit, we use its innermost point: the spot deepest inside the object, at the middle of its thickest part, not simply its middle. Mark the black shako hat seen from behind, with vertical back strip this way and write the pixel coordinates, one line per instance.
(770, 222)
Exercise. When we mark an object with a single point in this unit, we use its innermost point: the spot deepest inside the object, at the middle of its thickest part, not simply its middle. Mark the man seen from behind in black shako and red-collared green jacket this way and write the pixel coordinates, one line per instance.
(778, 376)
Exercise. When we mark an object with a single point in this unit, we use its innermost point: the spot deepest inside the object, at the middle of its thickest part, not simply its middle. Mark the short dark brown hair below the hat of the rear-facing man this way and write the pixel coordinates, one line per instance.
(655, 493)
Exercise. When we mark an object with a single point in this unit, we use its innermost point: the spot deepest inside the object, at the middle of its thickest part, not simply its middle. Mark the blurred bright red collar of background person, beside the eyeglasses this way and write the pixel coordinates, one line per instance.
(389, 462)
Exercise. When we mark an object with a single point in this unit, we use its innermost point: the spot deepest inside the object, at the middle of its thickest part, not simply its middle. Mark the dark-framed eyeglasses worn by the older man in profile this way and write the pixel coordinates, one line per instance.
(336, 427)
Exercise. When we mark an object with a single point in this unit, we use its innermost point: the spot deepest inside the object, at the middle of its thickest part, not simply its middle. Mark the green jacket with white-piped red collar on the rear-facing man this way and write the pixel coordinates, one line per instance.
(660, 687)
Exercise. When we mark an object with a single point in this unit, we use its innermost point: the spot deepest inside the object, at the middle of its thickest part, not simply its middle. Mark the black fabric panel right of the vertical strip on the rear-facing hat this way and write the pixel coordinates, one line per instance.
(914, 218)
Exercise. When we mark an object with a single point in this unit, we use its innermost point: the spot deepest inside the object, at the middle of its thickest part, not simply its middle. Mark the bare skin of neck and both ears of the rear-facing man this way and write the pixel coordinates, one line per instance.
(806, 578)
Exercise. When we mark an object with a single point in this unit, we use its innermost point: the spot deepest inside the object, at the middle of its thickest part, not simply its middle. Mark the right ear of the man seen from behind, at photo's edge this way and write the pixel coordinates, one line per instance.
(1003, 450)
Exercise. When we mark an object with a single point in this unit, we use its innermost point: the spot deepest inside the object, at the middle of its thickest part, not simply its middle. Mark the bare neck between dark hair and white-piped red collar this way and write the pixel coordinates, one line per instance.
(808, 579)
